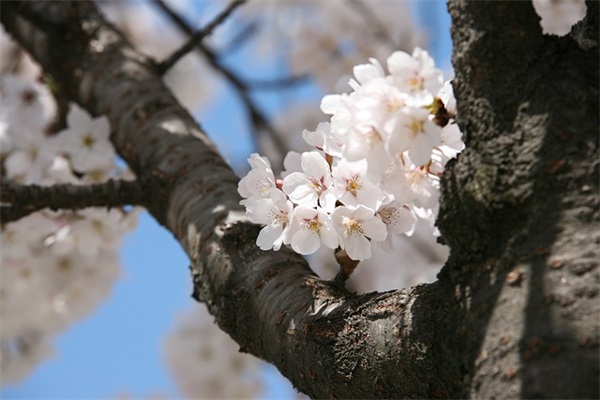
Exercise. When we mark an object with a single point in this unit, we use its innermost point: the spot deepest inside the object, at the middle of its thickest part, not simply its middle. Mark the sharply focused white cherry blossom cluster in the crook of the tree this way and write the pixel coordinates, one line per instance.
(375, 167)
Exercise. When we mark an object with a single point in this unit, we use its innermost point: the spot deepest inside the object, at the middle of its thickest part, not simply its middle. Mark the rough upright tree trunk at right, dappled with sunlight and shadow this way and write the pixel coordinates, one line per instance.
(528, 105)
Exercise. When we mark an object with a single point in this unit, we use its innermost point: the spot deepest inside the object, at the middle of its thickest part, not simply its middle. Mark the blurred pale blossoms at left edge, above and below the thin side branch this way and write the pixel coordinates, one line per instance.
(56, 267)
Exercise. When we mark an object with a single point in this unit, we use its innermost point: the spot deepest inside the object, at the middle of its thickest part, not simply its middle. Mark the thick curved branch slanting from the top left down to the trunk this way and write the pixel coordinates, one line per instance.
(327, 341)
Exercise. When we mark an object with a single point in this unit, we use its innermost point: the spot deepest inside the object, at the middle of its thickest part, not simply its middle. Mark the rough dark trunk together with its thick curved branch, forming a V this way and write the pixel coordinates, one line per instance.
(515, 310)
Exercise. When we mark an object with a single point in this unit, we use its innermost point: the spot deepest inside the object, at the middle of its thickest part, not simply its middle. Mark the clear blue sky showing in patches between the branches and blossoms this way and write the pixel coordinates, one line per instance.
(118, 349)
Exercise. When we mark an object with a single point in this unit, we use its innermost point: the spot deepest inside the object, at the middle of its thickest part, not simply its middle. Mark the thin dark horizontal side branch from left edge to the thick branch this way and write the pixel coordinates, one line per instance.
(26, 199)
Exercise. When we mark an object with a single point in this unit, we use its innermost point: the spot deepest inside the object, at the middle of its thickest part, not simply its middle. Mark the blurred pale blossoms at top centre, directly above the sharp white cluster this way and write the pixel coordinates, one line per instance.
(327, 38)
